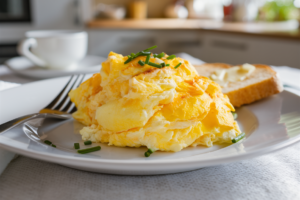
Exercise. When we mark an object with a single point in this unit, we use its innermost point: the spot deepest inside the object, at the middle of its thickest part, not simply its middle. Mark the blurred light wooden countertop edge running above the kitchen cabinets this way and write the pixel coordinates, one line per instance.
(286, 29)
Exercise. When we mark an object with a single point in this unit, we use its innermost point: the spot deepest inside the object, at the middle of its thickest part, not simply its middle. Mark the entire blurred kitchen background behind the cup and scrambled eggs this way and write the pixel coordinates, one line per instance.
(230, 31)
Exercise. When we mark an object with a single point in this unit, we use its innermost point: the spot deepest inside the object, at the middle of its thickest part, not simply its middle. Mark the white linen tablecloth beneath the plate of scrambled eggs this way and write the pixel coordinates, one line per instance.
(274, 176)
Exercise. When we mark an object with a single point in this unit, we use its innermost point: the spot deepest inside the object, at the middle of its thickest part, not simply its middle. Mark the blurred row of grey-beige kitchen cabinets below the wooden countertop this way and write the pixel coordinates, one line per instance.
(210, 46)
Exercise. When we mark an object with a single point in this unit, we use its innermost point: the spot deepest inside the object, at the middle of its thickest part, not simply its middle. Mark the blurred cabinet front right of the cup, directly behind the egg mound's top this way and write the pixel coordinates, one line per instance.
(101, 42)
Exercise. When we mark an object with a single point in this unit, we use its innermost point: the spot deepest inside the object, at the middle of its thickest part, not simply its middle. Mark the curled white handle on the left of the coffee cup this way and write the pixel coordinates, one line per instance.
(23, 49)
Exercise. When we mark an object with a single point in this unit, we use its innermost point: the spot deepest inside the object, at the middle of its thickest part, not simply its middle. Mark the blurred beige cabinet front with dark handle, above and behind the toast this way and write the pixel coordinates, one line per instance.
(237, 49)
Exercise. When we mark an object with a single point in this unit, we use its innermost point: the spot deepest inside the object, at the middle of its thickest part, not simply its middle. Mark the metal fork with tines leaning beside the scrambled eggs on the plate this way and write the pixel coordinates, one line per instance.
(60, 108)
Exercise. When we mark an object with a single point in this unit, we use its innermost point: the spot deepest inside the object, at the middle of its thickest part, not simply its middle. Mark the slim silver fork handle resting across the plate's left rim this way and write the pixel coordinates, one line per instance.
(15, 122)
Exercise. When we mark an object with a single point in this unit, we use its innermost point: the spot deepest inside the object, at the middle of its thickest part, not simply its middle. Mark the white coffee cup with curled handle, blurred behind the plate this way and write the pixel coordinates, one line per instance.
(55, 49)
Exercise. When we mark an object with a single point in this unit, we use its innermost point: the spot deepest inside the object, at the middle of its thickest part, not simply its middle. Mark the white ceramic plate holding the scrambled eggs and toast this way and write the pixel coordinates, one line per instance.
(262, 122)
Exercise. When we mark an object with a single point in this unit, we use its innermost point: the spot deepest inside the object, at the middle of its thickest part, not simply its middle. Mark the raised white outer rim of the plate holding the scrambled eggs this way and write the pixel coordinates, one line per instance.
(207, 162)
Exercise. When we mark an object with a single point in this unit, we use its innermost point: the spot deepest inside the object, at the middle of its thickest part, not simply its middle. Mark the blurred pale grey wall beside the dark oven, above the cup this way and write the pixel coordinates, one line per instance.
(54, 14)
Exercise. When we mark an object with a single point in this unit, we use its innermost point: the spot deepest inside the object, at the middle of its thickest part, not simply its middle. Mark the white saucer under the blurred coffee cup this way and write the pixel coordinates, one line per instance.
(24, 67)
